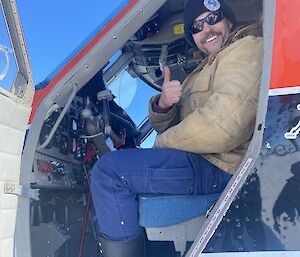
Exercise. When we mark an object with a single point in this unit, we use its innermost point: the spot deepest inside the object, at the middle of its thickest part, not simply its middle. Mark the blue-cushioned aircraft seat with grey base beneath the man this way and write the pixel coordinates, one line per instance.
(176, 218)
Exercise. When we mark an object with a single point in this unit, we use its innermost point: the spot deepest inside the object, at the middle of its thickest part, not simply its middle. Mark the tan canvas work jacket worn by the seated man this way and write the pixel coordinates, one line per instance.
(216, 114)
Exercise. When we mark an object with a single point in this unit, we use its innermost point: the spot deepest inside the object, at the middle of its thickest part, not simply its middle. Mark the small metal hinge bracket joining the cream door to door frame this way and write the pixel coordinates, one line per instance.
(22, 191)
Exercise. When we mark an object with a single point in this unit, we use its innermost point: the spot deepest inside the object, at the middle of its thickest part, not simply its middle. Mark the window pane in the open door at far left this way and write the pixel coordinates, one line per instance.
(8, 64)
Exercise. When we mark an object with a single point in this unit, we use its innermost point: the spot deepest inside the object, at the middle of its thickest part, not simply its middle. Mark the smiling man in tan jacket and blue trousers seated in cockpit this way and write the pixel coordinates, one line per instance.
(204, 127)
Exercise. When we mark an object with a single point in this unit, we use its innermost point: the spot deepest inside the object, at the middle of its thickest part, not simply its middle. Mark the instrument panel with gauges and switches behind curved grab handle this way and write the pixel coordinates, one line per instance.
(59, 164)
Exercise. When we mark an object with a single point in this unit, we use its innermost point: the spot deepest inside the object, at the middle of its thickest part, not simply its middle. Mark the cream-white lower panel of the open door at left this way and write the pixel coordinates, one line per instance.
(13, 121)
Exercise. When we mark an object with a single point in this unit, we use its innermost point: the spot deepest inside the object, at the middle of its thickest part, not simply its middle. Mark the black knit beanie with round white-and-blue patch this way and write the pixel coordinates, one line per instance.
(193, 8)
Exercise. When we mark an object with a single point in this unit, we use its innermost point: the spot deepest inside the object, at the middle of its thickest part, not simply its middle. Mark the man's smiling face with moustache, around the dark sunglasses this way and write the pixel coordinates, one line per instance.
(212, 37)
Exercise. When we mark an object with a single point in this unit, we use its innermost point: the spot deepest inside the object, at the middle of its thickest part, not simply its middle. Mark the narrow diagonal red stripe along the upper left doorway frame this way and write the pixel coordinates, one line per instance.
(40, 94)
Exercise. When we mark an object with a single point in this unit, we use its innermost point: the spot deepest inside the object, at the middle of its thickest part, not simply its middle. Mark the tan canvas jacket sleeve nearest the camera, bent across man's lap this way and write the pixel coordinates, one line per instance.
(227, 119)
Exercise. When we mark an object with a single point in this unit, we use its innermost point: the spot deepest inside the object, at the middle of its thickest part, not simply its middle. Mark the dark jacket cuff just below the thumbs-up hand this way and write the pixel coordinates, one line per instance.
(162, 121)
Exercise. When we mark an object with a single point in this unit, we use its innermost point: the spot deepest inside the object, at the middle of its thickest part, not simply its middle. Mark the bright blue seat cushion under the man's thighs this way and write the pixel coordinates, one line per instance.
(167, 210)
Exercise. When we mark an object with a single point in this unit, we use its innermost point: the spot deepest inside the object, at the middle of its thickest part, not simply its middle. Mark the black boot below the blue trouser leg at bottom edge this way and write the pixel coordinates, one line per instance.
(135, 247)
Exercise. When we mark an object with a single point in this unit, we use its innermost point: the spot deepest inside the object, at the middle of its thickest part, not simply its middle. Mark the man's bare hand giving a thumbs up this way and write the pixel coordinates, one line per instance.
(171, 90)
